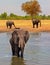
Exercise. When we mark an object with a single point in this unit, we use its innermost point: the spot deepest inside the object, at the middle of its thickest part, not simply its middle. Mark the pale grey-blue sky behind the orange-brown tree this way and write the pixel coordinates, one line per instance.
(14, 6)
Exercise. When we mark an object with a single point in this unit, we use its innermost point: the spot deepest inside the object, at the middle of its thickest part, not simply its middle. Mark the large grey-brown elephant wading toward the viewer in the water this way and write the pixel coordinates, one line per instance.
(17, 41)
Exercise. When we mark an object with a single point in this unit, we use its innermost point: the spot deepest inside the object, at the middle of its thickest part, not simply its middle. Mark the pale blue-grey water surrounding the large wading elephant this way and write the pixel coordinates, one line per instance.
(37, 50)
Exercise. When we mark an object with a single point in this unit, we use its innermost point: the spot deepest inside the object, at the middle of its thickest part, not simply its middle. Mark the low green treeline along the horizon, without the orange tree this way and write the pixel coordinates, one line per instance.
(13, 16)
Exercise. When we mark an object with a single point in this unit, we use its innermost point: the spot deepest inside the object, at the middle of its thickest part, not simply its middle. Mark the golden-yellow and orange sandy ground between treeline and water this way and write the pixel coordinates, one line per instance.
(27, 25)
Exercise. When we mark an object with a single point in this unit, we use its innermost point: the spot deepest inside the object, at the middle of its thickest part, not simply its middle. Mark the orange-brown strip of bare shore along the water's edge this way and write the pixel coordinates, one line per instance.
(28, 29)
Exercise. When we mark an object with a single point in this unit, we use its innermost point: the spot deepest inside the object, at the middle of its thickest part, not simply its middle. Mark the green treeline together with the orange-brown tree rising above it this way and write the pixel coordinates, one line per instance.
(31, 8)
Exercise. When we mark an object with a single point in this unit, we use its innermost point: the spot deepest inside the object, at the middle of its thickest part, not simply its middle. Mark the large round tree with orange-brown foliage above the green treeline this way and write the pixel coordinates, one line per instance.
(32, 7)
